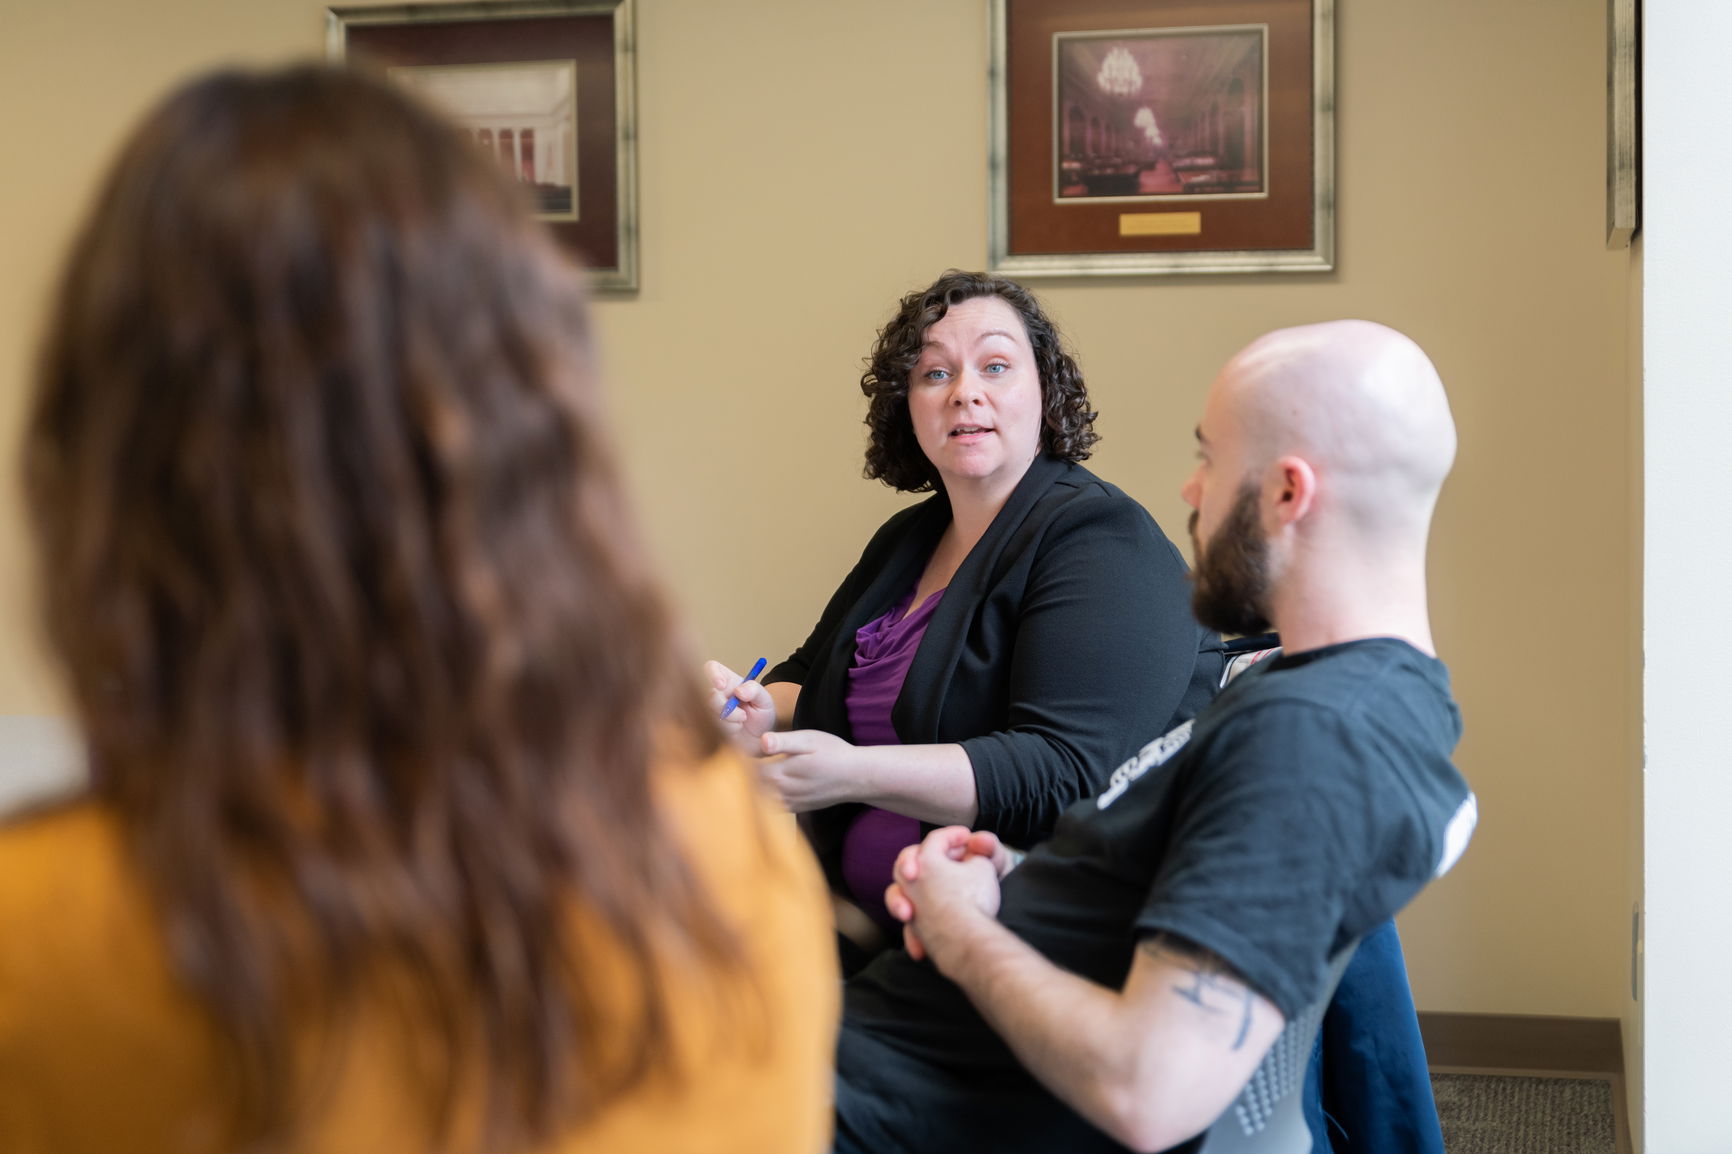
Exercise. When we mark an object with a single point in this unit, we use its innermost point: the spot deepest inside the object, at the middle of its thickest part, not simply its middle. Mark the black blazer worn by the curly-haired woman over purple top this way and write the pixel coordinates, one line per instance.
(1063, 645)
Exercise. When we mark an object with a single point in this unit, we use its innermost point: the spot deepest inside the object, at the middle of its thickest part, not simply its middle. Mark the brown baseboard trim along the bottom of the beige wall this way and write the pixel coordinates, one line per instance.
(1523, 1042)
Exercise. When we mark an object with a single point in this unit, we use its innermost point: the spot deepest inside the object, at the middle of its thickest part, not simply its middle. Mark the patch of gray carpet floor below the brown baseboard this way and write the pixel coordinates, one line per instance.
(1496, 1115)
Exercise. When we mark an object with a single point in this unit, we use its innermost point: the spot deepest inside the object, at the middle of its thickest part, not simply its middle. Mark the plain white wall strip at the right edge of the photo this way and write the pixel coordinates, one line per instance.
(1688, 363)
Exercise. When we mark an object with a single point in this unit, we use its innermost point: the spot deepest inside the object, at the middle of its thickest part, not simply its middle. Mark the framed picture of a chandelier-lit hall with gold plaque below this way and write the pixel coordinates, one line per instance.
(1153, 138)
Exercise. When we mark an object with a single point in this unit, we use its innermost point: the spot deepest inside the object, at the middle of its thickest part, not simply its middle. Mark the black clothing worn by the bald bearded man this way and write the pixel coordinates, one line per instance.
(1307, 805)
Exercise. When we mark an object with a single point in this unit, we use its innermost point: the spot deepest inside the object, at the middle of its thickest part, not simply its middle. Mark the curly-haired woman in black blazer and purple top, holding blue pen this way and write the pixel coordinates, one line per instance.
(998, 649)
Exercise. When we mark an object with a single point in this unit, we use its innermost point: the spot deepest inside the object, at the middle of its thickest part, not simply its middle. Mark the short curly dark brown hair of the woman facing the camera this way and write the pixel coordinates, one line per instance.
(895, 455)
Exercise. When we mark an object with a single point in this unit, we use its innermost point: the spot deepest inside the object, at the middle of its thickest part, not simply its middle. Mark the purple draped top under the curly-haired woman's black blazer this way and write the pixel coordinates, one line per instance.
(884, 649)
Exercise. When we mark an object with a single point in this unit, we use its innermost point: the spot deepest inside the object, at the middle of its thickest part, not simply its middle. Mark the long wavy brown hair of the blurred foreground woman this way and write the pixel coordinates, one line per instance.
(365, 645)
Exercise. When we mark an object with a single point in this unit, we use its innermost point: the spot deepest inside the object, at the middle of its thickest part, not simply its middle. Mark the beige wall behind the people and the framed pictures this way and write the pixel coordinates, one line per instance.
(805, 164)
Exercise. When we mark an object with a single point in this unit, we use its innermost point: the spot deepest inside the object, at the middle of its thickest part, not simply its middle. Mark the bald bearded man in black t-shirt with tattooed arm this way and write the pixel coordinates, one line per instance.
(1118, 989)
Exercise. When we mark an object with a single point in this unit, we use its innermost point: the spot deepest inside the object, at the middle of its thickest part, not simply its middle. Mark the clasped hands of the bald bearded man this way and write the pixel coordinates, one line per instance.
(943, 885)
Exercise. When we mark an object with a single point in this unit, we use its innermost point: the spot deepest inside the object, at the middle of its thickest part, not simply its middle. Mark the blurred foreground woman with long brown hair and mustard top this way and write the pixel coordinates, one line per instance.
(406, 827)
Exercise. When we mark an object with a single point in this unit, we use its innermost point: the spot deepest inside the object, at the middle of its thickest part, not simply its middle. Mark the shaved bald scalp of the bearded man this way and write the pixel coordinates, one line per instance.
(1360, 403)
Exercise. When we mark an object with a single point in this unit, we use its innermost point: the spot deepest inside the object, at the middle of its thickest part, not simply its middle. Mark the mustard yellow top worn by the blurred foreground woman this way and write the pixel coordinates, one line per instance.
(103, 1053)
